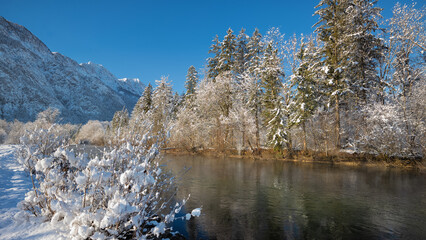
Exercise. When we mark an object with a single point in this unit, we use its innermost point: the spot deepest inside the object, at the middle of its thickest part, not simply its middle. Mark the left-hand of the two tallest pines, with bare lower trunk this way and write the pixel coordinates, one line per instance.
(331, 29)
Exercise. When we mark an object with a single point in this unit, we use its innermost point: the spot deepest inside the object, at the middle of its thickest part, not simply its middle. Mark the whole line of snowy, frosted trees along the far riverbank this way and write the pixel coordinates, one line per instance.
(353, 84)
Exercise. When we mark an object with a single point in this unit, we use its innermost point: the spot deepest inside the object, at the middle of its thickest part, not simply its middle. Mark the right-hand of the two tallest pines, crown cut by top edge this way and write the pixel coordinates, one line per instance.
(363, 48)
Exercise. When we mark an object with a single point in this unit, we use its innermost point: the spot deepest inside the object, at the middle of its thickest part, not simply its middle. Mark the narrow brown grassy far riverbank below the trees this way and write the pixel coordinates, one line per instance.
(338, 158)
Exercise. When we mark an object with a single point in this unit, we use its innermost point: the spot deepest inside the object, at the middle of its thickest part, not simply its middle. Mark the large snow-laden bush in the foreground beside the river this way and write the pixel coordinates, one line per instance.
(125, 194)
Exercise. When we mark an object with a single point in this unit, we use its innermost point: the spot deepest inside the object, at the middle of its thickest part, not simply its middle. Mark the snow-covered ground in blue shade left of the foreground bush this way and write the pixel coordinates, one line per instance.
(14, 183)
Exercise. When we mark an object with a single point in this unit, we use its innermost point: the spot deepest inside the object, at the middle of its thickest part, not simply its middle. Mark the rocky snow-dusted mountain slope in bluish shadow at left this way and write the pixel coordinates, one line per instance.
(32, 78)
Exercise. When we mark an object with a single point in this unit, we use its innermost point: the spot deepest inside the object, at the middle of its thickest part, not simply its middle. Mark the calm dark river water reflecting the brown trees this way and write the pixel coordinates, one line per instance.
(248, 199)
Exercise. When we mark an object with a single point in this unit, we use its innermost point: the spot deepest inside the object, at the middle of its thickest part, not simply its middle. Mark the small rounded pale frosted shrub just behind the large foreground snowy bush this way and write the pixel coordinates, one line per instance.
(93, 132)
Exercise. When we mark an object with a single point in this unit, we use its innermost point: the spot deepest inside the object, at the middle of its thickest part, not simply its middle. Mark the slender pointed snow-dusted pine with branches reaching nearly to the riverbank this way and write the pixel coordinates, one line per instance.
(274, 121)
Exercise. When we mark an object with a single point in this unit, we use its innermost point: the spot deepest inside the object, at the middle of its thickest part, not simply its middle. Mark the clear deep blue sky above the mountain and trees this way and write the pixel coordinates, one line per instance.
(150, 38)
